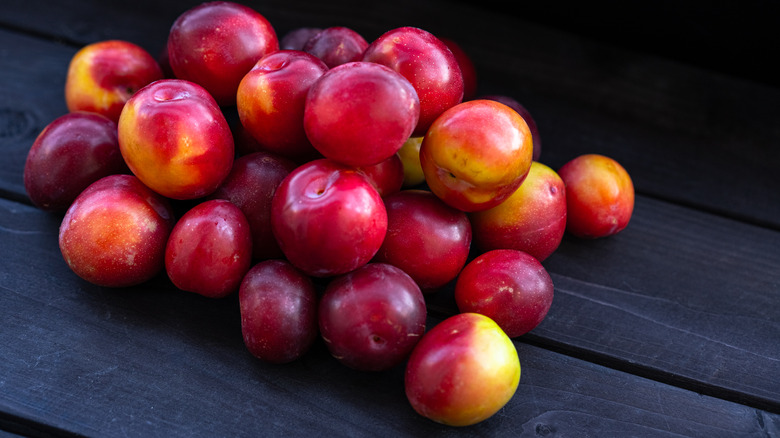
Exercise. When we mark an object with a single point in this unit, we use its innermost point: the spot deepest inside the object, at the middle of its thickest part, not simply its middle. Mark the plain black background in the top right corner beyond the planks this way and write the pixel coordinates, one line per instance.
(738, 38)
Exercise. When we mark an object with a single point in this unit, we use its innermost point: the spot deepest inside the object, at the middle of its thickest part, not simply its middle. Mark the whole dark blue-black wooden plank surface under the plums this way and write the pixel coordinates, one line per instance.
(670, 328)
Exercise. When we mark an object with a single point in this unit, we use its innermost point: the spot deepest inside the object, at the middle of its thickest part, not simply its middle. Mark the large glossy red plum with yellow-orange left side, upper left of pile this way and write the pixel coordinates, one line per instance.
(174, 137)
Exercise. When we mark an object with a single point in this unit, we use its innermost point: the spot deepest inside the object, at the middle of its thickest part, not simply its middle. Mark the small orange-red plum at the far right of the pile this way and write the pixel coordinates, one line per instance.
(599, 196)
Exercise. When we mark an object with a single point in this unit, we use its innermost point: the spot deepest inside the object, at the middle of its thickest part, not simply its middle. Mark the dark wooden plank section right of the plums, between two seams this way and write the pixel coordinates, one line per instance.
(682, 296)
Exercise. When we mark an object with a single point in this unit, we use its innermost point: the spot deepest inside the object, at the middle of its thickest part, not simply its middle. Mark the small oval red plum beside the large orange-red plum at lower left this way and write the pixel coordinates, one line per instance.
(210, 249)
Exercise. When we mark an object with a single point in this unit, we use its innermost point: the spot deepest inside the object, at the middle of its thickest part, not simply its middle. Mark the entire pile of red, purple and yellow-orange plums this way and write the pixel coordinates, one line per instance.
(357, 178)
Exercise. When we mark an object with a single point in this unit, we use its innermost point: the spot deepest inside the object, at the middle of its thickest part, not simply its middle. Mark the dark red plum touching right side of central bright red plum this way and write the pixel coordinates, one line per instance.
(426, 238)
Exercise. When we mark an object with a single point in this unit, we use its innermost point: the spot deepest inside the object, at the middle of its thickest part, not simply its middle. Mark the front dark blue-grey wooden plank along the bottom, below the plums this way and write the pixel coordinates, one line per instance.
(152, 360)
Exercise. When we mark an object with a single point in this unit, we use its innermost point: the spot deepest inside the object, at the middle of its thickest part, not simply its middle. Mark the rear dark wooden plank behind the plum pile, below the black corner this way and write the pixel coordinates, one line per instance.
(686, 135)
